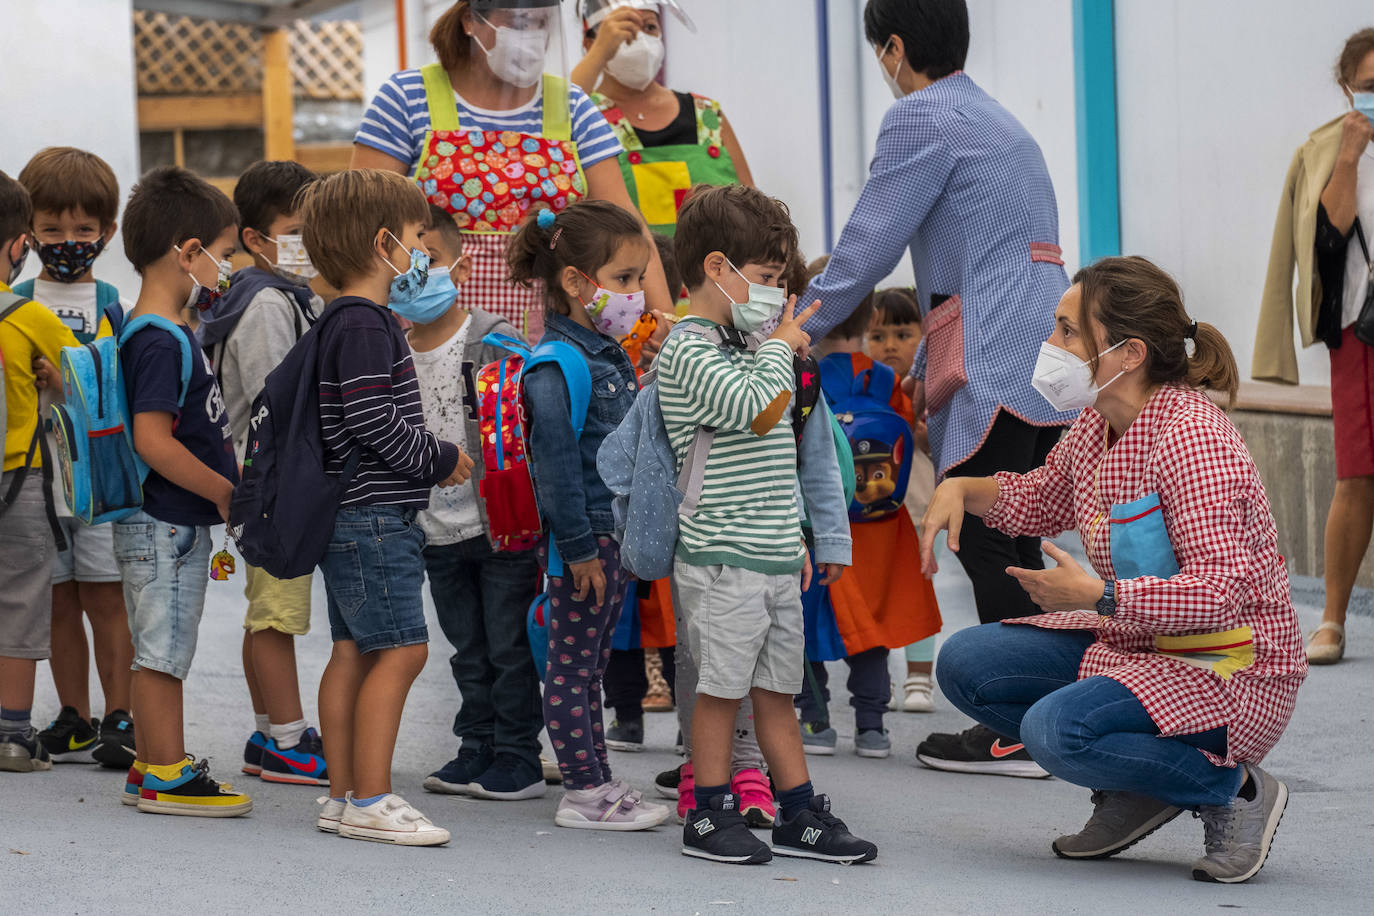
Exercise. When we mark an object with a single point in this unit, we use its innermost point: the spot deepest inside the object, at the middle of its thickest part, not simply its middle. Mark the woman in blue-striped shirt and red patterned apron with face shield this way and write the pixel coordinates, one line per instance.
(494, 133)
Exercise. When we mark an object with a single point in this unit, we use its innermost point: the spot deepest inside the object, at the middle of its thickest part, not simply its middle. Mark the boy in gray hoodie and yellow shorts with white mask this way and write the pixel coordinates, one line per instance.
(248, 333)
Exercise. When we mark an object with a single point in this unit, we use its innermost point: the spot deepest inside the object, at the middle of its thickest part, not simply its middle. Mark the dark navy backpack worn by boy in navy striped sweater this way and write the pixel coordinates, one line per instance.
(282, 512)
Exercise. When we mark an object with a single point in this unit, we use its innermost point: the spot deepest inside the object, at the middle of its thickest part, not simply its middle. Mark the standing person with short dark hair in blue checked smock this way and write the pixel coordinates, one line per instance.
(961, 185)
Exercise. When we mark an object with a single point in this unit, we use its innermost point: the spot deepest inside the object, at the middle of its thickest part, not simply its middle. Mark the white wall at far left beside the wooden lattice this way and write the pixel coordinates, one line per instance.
(72, 87)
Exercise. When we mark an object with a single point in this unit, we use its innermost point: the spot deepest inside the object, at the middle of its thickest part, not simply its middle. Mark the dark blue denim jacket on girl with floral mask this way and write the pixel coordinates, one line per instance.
(572, 498)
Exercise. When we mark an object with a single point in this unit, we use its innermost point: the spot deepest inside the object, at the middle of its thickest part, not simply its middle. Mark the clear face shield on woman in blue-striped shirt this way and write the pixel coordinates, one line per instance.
(517, 42)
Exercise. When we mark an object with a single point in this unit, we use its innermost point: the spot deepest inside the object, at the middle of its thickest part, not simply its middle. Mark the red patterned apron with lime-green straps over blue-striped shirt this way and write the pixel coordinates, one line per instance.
(491, 181)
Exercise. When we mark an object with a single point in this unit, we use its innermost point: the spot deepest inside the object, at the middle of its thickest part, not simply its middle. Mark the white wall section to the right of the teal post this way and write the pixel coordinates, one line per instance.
(1214, 100)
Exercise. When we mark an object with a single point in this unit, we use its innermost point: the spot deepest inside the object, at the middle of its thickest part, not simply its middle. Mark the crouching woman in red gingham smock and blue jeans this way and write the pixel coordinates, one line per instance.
(1164, 674)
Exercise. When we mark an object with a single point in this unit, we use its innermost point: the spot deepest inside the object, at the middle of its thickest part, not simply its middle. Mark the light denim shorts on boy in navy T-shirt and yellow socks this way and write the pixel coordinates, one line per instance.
(166, 569)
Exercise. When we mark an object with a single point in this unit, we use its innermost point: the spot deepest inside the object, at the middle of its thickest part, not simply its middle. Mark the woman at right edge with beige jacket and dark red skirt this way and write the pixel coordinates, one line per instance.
(1325, 231)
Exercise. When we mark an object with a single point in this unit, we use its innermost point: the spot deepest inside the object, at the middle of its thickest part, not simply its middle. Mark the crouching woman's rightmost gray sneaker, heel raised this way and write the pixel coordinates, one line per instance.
(1239, 836)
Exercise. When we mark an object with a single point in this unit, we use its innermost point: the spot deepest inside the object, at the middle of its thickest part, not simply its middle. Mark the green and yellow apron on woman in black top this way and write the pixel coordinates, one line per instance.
(659, 178)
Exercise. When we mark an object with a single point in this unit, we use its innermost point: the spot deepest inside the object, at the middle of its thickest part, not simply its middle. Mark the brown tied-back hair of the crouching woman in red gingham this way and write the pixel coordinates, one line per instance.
(1134, 299)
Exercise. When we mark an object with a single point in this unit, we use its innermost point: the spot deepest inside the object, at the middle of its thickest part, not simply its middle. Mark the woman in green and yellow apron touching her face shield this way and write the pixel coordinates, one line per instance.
(673, 141)
